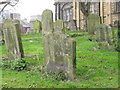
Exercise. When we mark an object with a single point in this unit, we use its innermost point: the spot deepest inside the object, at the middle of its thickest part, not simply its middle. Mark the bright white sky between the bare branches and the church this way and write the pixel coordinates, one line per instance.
(28, 8)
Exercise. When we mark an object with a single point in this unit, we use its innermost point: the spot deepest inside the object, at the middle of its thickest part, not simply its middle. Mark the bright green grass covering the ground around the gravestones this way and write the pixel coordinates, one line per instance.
(95, 69)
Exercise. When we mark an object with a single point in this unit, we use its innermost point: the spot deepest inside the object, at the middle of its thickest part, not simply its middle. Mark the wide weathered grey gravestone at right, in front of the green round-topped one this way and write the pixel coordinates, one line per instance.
(104, 34)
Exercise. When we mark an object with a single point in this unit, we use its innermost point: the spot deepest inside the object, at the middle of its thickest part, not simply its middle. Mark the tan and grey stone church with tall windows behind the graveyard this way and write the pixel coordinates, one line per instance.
(109, 12)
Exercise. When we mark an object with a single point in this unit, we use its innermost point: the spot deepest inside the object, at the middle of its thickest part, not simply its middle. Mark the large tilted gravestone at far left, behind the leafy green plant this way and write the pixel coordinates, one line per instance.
(13, 39)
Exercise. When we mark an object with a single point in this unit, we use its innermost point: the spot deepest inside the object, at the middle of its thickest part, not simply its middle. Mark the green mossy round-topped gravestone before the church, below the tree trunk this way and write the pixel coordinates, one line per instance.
(93, 21)
